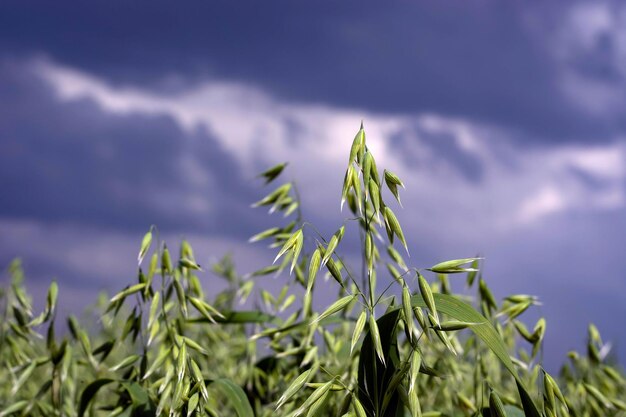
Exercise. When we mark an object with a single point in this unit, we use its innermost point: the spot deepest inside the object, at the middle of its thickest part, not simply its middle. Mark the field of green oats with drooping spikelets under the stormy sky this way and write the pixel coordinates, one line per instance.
(397, 341)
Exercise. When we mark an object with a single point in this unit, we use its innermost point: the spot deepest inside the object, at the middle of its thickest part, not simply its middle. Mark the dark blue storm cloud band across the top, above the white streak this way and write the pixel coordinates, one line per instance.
(475, 59)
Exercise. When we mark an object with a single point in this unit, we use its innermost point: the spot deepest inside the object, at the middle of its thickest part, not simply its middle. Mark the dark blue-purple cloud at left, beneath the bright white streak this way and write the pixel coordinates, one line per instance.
(74, 163)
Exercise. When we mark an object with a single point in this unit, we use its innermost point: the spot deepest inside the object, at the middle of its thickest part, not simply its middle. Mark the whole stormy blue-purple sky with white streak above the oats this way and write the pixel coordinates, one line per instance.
(506, 121)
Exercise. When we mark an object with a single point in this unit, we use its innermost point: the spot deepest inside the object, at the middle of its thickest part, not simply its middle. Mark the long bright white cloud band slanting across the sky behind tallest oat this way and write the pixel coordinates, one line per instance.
(257, 128)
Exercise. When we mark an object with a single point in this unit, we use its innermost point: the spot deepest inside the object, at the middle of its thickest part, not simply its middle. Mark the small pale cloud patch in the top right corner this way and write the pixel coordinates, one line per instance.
(588, 44)
